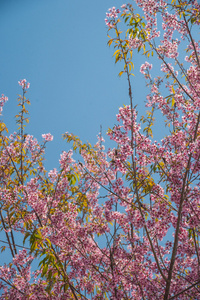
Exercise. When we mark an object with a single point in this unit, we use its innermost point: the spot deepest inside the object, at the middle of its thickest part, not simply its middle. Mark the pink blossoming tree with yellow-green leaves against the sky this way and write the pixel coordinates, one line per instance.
(121, 224)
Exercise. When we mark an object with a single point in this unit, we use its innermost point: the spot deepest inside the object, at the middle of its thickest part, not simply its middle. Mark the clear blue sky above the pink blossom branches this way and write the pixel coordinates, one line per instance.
(60, 47)
